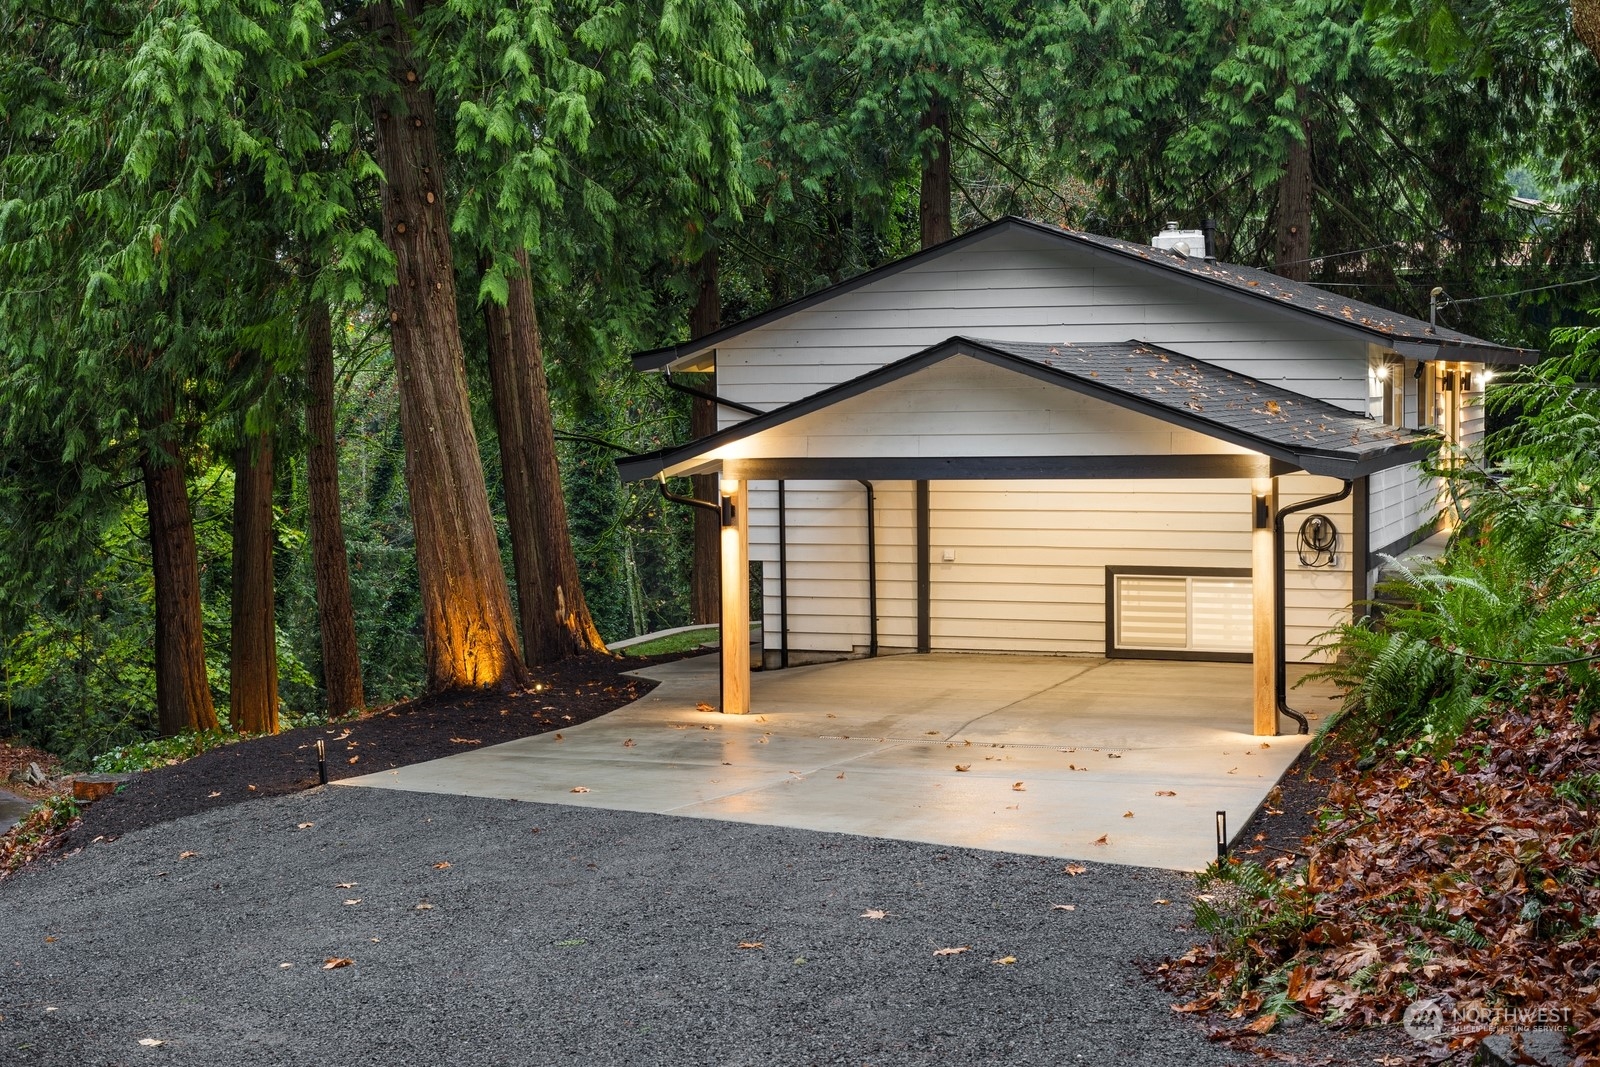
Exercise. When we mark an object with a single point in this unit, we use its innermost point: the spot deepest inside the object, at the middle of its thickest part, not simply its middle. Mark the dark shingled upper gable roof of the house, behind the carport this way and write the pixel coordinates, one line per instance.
(1406, 335)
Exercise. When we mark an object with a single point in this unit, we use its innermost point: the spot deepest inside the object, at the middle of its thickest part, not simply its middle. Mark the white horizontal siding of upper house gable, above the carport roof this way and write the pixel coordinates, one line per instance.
(1025, 287)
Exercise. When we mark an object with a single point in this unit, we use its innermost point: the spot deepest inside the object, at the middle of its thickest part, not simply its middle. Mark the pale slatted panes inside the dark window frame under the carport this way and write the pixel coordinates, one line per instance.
(1190, 613)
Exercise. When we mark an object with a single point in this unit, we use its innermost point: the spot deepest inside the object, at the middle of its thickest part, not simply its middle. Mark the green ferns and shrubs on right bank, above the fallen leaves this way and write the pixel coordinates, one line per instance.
(1514, 593)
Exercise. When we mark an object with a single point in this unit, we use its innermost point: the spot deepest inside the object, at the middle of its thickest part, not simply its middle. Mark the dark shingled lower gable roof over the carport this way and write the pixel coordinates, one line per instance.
(1311, 434)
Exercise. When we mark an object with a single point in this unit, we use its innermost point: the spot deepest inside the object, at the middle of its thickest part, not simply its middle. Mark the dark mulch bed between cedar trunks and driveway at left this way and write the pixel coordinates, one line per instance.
(428, 729)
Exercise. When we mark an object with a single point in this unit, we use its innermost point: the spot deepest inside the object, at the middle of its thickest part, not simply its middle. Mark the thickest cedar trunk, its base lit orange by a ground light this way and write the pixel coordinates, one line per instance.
(468, 631)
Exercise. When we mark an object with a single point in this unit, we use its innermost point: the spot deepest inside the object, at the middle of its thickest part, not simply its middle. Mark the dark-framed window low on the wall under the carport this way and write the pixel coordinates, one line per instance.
(1178, 613)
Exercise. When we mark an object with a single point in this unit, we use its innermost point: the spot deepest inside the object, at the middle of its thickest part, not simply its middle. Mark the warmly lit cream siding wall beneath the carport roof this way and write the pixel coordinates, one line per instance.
(1030, 569)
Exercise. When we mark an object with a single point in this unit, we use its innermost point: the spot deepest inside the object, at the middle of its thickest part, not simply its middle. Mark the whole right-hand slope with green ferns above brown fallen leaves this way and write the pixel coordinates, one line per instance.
(1460, 858)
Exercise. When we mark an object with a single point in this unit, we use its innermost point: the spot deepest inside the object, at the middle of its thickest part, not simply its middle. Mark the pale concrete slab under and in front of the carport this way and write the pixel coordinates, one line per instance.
(1023, 754)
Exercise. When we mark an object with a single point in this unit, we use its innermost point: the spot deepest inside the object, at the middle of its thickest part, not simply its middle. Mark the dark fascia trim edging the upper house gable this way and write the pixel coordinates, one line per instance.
(1414, 348)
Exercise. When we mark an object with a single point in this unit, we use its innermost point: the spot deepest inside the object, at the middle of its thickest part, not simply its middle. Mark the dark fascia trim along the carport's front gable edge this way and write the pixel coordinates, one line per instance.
(1335, 465)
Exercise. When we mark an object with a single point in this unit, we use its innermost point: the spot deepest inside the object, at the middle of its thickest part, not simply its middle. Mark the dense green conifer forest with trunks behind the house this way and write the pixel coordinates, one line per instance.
(314, 318)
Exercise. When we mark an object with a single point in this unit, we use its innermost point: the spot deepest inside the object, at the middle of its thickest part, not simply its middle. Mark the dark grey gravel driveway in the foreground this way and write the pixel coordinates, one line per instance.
(575, 937)
